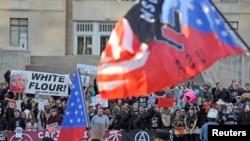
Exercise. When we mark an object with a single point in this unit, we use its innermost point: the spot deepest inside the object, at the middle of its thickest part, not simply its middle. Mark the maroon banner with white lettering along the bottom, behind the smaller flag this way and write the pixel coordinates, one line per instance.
(111, 135)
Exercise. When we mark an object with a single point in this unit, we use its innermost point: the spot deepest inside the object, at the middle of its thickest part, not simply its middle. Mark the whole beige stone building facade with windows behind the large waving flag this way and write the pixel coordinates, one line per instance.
(80, 27)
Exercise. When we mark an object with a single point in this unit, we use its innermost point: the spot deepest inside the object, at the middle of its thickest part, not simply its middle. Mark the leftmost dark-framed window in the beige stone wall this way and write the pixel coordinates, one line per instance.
(18, 29)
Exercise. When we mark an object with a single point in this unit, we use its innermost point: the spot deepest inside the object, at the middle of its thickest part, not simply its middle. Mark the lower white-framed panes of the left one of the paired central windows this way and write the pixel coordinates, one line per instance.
(84, 45)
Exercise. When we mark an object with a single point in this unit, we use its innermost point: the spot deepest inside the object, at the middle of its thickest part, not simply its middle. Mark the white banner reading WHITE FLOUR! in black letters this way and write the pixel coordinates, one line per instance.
(39, 82)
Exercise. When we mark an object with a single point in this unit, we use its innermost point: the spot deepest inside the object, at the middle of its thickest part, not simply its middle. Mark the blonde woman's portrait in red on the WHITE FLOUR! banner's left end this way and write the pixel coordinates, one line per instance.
(18, 82)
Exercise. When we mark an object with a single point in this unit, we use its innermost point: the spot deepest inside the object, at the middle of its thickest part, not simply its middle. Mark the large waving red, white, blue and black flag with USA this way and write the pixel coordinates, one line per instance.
(161, 43)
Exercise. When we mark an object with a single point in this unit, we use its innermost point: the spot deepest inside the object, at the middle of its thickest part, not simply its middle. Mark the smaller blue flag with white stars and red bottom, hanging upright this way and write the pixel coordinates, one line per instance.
(75, 119)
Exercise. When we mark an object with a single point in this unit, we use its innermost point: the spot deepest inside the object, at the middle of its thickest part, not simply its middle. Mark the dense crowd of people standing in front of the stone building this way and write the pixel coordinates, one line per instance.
(137, 113)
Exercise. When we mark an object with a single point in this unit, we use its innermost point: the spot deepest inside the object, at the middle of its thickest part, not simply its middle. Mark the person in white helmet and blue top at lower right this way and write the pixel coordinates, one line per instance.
(212, 116)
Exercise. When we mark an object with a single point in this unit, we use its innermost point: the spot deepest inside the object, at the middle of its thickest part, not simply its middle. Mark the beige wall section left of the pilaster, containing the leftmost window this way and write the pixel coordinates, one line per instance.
(34, 25)
